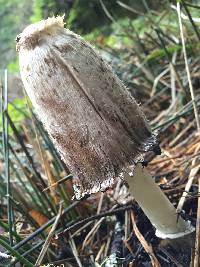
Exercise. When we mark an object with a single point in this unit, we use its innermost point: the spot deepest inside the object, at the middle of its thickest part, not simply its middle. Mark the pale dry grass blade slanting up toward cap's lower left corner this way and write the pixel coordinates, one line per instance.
(48, 240)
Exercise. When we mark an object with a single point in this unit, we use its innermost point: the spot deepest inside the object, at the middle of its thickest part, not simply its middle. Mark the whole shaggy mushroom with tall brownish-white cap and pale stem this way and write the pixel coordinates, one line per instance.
(96, 125)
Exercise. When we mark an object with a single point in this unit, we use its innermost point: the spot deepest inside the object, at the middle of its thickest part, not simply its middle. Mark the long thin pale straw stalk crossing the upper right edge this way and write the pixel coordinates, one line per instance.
(187, 68)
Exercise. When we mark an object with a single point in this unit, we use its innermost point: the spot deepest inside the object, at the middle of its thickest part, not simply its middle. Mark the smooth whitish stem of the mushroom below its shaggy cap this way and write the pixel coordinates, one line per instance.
(156, 205)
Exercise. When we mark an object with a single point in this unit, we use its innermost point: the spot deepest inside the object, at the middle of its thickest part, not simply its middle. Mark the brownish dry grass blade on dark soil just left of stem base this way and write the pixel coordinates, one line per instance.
(147, 247)
